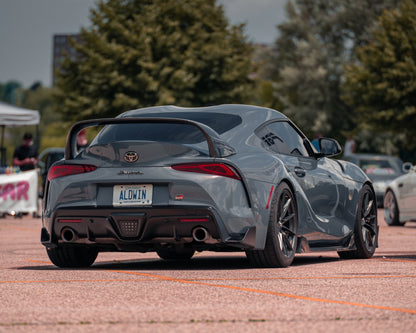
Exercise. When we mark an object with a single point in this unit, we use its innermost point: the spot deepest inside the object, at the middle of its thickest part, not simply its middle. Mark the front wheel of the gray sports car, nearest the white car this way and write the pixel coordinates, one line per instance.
(366, 228)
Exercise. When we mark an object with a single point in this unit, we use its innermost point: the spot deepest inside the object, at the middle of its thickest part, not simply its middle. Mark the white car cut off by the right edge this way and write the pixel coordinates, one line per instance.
(400, 198)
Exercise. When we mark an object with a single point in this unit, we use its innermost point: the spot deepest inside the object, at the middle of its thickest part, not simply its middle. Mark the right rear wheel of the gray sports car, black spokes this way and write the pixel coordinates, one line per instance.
(281, 239)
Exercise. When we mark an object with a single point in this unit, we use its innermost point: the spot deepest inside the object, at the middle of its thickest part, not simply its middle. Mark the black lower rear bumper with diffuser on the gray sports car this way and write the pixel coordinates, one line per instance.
(141, 229)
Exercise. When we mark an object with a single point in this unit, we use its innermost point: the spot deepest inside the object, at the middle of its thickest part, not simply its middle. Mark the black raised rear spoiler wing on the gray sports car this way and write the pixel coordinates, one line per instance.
(216, 147)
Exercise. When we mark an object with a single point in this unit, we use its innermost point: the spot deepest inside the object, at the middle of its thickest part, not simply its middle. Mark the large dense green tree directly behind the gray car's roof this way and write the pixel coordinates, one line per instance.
(141, 53)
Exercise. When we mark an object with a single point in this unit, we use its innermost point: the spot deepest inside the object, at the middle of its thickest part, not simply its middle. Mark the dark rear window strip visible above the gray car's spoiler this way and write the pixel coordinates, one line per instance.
(219, 122)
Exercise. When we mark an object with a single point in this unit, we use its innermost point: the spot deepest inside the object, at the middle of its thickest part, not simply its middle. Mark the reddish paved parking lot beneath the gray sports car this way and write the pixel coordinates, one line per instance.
(135, 292)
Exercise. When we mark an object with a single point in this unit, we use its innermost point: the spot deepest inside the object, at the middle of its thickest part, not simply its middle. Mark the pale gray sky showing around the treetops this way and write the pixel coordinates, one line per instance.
(27, 28)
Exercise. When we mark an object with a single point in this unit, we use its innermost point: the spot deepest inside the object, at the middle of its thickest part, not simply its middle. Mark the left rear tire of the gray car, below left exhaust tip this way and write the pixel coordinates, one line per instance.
(72, 256)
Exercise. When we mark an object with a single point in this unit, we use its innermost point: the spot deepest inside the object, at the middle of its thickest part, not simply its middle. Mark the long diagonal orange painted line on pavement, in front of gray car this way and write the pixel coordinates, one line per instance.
(305, 298)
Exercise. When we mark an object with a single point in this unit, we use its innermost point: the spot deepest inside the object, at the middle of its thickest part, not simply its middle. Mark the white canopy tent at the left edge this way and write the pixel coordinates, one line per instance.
(11, 115)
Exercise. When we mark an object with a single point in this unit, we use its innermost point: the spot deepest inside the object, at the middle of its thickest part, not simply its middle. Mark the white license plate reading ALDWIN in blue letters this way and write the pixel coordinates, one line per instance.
(132, 195)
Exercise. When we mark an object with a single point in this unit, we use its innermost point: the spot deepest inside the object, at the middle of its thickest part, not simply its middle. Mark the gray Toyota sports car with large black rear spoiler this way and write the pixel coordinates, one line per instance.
(222, 178)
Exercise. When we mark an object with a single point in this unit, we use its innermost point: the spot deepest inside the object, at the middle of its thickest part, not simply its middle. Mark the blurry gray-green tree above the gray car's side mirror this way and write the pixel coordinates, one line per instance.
(313, 45)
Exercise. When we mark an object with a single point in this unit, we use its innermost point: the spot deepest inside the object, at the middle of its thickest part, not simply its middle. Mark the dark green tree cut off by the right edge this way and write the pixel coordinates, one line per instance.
(381, 85)
